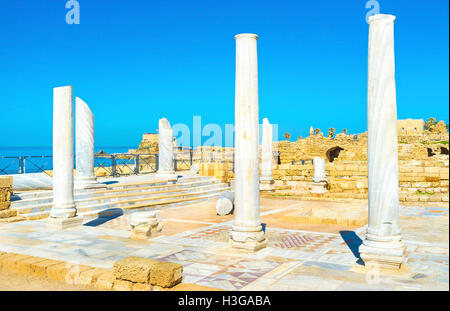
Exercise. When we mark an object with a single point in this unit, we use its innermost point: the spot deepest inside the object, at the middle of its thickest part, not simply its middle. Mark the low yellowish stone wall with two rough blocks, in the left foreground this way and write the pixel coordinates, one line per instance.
(129, 274)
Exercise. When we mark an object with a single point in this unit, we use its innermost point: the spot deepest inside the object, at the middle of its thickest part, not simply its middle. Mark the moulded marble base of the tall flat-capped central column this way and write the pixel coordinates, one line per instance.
(247, 240)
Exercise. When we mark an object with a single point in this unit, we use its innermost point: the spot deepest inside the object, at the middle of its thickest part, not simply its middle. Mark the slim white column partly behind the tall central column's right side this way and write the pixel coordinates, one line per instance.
(266, 180)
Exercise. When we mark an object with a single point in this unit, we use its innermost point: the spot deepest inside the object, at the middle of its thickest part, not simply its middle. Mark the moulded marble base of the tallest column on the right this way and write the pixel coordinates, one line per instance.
(387, 252)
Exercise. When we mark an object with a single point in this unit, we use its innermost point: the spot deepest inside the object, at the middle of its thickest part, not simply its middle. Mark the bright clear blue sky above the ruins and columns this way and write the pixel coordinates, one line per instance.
(137, 61)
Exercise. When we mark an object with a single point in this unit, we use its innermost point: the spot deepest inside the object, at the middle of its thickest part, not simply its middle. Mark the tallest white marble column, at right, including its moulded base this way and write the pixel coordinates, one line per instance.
(382, 243)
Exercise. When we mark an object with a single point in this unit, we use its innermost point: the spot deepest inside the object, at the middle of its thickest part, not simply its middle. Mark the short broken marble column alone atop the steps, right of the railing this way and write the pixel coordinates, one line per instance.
(165, 153)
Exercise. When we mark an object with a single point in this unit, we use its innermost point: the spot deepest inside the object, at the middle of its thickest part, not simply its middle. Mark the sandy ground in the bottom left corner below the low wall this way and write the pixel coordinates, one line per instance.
(14, 282)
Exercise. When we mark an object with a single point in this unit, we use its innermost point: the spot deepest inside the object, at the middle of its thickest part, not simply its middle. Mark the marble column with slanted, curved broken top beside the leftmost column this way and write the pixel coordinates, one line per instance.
(84, 146)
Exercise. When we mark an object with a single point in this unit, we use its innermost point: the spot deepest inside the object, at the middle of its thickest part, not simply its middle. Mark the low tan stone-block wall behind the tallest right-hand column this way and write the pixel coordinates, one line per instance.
(423, 181)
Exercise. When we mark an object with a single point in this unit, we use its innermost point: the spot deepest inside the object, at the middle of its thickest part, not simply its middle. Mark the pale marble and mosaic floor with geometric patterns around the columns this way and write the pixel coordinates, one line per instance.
(320, 259)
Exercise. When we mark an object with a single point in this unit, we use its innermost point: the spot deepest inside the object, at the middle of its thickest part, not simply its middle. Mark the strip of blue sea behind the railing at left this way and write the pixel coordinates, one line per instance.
(37, 159)
